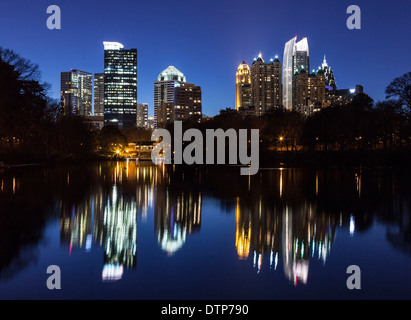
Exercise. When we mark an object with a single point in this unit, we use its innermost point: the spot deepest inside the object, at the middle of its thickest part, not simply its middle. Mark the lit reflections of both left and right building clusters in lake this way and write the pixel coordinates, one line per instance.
(284, 218)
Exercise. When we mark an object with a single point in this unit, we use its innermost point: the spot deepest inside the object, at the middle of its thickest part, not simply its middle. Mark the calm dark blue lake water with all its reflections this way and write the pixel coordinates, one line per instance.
(127, 231)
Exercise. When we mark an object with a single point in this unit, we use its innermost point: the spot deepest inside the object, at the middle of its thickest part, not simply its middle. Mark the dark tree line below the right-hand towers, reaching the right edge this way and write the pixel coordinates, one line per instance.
(361, 124)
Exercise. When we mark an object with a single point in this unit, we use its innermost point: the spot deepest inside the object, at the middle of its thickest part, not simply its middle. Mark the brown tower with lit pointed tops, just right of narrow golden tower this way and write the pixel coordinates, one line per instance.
(266, 84)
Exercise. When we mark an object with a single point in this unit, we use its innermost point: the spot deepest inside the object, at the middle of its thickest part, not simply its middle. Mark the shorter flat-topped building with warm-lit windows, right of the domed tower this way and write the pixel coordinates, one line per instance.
(187, 101)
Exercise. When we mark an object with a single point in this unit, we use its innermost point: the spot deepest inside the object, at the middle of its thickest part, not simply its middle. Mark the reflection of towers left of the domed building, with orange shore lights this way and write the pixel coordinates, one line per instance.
(106, 216)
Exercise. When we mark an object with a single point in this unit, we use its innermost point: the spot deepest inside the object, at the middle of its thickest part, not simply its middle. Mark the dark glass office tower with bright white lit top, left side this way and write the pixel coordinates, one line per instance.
(120, 85)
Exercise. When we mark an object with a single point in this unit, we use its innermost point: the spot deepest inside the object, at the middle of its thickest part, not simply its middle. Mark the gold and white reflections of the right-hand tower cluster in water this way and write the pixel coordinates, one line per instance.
(293, 230)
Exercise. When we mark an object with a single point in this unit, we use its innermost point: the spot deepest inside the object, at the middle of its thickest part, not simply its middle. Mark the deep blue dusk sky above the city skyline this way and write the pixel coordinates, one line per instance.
(207, 40)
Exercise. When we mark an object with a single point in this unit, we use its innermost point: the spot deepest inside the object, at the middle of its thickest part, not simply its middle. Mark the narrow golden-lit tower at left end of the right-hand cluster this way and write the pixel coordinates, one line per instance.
(243, 92)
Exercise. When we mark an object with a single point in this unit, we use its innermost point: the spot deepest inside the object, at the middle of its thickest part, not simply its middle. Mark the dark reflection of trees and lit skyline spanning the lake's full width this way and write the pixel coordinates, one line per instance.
(283, 218)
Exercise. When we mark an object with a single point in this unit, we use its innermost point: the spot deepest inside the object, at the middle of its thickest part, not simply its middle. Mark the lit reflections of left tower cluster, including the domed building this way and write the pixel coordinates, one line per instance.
(106, 216)
